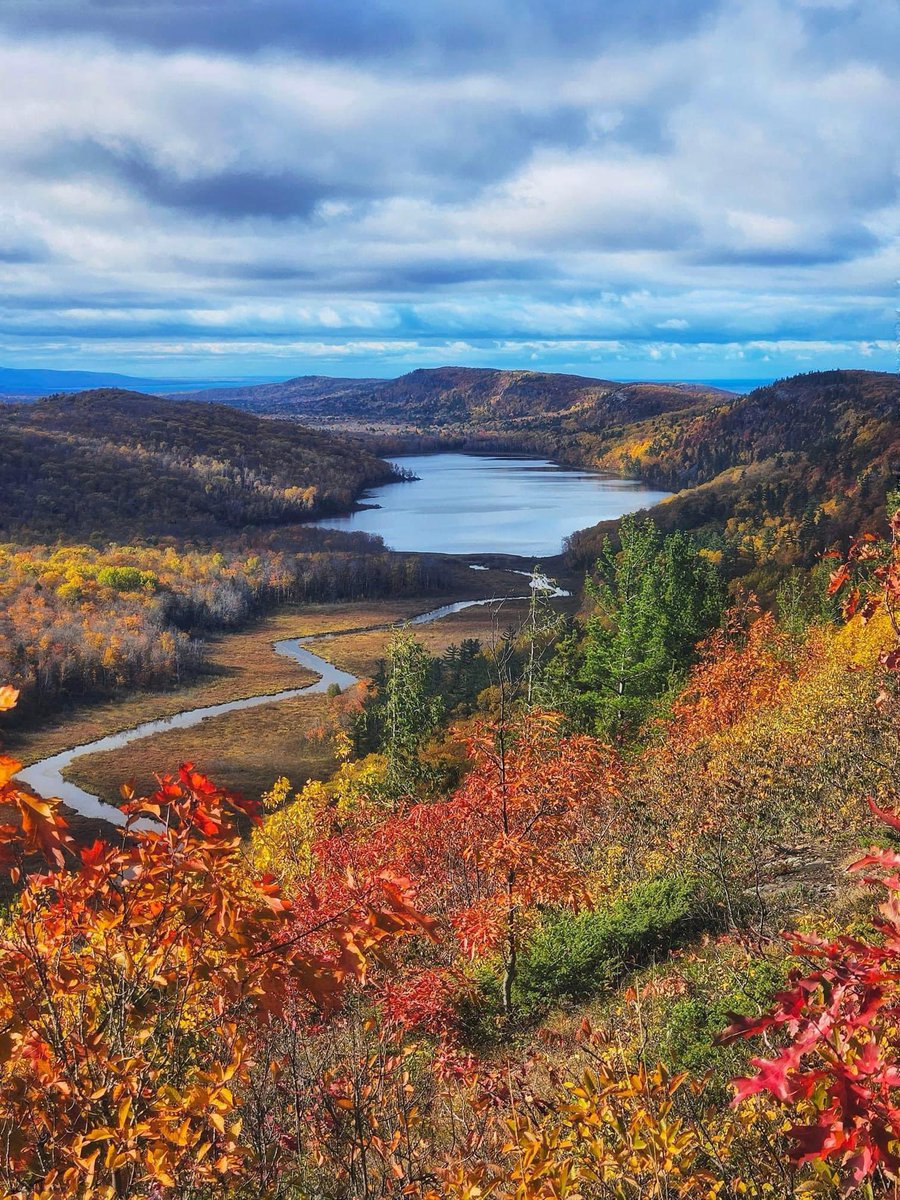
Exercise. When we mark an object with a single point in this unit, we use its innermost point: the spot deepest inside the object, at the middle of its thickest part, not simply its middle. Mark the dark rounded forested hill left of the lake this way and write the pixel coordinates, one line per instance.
(117, 463)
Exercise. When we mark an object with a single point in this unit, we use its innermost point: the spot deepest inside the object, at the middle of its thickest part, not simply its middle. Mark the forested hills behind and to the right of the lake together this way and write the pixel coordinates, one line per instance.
(771, 479)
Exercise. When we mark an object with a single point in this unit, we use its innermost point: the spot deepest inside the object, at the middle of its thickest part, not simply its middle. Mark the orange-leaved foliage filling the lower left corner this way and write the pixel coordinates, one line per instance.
(135, 986)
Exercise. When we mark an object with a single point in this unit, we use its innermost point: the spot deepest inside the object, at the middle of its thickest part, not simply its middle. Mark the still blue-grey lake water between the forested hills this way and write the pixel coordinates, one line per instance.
(481, 505)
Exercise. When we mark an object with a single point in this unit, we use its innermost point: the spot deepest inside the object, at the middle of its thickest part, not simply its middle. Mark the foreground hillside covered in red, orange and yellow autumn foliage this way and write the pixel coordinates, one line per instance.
(561, 975)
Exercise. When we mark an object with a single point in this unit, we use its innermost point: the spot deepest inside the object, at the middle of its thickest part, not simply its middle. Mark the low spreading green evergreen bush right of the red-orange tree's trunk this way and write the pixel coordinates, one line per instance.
(573, 957)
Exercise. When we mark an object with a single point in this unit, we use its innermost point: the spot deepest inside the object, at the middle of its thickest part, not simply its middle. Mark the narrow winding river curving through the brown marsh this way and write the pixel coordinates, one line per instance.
(47, 779)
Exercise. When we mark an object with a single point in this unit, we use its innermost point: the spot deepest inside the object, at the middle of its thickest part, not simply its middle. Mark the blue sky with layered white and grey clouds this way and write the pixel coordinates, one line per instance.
(626, 189)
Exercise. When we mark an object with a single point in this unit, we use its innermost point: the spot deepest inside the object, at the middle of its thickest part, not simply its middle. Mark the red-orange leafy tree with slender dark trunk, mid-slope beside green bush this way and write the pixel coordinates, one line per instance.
(505, 844)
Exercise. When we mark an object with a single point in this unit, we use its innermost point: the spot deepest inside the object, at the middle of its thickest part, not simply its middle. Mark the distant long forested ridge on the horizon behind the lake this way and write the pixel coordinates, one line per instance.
(466, 397)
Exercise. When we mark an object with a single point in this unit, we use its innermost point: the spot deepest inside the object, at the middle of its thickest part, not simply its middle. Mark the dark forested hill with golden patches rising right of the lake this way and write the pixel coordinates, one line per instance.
(777, 476)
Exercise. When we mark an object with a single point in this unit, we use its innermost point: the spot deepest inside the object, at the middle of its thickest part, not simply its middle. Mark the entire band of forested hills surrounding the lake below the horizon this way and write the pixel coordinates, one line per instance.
(775, 477)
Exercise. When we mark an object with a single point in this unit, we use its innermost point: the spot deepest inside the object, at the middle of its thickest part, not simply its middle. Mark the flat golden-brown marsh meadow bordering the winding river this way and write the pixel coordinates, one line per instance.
(241, 747)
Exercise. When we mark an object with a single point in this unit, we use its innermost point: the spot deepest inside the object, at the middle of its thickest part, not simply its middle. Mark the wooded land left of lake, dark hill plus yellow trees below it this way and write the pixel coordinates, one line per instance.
(134, 526)
